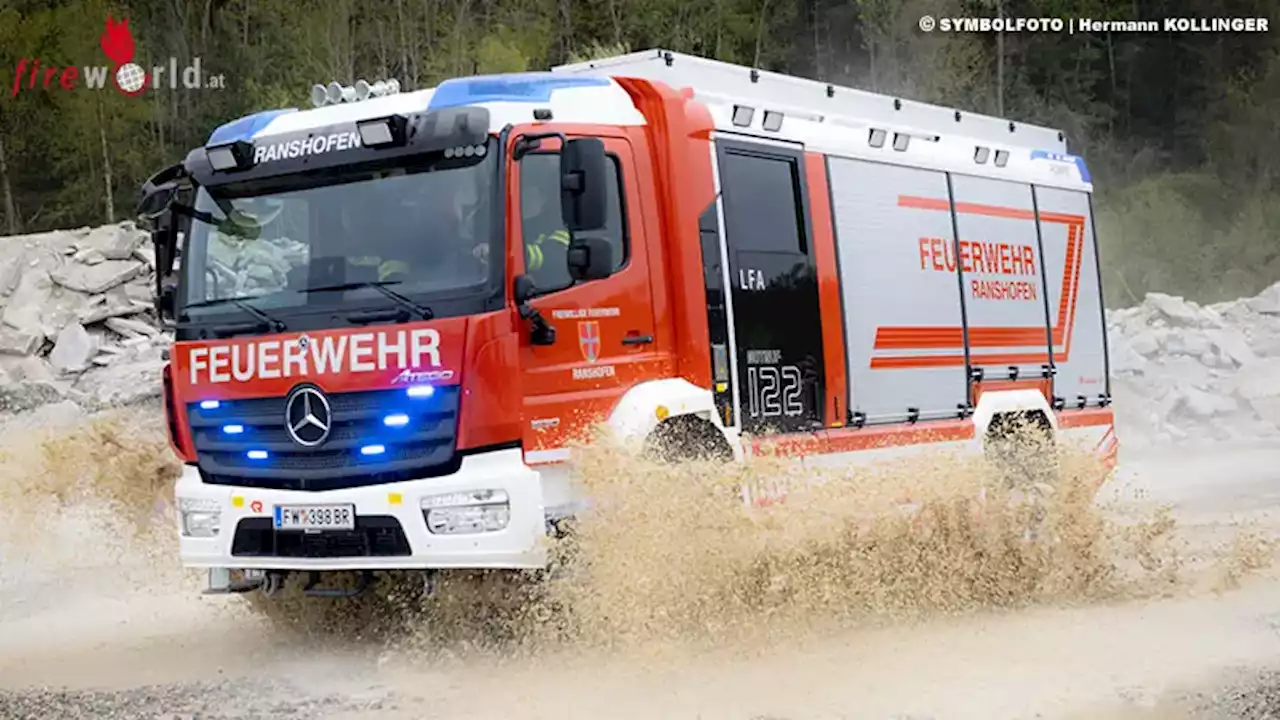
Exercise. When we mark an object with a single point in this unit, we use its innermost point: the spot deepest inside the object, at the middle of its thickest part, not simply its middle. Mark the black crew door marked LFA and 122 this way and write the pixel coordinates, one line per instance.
(774, 288)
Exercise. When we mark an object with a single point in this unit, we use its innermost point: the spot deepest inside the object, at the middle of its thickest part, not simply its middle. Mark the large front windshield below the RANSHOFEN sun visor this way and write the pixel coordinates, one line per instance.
(420, 229)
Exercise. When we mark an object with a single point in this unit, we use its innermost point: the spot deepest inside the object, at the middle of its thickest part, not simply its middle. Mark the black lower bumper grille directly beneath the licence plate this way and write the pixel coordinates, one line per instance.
(376, 536)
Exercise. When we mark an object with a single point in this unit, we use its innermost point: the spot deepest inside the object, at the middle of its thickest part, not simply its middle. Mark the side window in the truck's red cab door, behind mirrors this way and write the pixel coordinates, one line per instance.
(543, 229)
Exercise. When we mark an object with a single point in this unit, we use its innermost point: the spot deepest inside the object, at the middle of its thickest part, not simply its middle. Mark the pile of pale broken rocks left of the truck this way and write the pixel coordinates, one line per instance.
(76, 318)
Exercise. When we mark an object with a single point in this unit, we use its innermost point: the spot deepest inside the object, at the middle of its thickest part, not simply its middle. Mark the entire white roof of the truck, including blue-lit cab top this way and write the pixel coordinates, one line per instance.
(825, 119)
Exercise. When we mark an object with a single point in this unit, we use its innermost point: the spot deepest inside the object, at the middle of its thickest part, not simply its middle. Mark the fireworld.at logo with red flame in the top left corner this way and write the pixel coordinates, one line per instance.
(127, 78)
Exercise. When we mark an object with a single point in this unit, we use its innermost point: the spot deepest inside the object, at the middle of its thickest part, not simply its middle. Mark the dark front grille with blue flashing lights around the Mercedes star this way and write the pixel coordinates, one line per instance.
(263, 455)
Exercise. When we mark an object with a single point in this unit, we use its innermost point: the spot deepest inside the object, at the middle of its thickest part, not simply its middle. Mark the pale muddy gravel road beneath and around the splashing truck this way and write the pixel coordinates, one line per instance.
(131, 639)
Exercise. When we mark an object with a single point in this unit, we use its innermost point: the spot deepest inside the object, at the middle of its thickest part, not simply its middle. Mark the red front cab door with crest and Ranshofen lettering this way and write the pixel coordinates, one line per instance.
(605, 330)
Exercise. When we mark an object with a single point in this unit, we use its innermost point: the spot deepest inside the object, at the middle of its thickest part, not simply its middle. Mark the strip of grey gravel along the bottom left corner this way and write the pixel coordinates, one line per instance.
(232, 700)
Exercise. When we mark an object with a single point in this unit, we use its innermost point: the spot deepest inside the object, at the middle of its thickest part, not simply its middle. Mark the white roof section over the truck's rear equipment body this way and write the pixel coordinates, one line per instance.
(840, 121)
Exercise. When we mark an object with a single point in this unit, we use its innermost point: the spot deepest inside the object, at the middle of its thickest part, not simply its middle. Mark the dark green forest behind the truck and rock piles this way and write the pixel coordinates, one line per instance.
(1181, 130)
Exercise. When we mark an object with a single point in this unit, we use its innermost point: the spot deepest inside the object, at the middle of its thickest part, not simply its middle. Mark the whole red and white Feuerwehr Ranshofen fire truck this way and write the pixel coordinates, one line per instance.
(395, 312)
